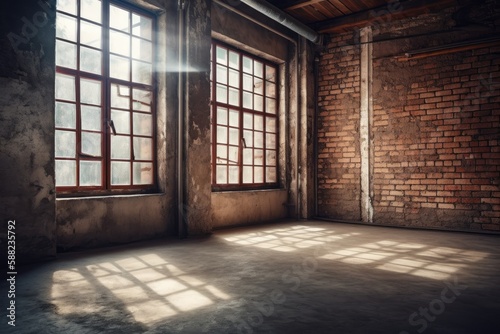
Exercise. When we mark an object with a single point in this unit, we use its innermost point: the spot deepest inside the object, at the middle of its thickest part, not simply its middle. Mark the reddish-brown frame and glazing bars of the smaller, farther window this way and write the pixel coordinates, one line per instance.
(241, 185)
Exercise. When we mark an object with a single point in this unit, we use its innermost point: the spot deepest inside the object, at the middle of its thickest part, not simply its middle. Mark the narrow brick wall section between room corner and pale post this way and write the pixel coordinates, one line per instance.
(338, 131)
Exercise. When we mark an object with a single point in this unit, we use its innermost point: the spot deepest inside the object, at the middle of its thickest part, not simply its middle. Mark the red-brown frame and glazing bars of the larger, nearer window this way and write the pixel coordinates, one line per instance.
(106, 82)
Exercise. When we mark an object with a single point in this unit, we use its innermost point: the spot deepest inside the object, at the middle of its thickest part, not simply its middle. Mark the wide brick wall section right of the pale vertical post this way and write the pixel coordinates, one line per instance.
(436, 139)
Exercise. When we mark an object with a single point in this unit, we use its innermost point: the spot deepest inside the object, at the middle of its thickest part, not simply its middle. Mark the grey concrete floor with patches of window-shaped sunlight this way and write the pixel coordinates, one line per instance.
(296, 277)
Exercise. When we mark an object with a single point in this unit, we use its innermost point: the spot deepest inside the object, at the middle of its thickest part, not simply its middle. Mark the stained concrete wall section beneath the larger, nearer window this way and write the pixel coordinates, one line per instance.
(99, 221)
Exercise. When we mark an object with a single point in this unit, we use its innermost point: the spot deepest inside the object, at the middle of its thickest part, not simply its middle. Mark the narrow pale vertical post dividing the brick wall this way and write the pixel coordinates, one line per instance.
(365, 125)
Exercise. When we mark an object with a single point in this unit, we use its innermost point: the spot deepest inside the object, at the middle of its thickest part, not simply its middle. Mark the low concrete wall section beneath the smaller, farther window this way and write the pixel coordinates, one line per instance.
(241, 208)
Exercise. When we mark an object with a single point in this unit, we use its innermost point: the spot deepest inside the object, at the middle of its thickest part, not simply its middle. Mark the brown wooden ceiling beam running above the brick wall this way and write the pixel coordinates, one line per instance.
(383, 14)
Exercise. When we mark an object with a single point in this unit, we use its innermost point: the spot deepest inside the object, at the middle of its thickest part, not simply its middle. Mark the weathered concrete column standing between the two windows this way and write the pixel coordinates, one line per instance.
(197, 196)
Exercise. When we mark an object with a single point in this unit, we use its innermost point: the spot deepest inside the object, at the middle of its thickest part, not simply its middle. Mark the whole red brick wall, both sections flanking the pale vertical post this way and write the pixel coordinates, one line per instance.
(435, 133)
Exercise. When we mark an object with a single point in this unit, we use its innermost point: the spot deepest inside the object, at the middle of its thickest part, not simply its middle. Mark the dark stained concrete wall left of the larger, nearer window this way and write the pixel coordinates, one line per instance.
(27, 191)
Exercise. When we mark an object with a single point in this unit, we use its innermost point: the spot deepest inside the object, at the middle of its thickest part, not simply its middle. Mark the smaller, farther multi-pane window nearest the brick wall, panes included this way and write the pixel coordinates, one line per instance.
(244, 120)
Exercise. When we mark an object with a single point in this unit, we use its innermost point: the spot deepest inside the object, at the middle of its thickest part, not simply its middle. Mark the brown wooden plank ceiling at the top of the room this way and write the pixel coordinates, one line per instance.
(343, 15)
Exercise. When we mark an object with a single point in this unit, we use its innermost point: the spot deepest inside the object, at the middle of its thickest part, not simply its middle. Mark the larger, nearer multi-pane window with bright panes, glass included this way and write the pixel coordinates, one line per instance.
(104, 91)
